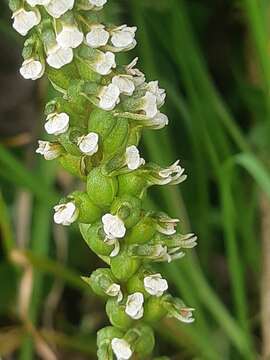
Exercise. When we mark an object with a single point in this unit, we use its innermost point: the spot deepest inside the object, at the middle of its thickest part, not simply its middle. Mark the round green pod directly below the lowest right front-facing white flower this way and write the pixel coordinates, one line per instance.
(154, 310)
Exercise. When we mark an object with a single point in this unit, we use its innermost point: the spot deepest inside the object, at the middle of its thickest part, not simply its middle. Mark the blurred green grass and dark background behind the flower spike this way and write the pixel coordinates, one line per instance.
(212, 56)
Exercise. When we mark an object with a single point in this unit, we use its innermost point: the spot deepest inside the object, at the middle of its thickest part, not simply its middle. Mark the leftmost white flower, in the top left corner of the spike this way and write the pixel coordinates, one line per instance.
(25, 20)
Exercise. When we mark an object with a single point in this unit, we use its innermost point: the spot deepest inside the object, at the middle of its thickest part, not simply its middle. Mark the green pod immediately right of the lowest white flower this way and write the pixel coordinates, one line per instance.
(142, 339)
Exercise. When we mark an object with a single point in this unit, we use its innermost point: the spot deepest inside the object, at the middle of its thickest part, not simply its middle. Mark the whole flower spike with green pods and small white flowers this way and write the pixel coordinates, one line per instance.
(96, 124)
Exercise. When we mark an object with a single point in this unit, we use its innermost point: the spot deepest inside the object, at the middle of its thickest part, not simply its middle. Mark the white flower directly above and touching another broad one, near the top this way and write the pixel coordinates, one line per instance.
(69, 37)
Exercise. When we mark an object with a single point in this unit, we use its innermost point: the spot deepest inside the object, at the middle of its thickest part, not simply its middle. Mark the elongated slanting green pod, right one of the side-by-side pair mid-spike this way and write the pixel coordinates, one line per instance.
(117, 140)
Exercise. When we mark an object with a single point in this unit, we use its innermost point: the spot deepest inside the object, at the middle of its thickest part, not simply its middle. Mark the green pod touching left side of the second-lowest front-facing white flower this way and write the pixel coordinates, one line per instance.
(116, 314)
